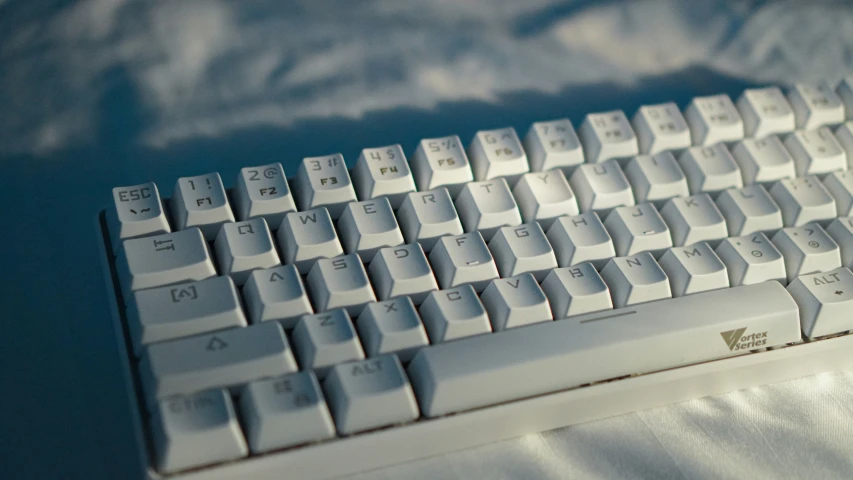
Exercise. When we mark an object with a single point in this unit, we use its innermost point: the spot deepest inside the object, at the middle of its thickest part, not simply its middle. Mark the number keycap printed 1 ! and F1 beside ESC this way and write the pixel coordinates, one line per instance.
(201, 202)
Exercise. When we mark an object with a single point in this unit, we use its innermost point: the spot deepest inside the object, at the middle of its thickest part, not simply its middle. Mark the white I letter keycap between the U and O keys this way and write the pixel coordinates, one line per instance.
(656, 178)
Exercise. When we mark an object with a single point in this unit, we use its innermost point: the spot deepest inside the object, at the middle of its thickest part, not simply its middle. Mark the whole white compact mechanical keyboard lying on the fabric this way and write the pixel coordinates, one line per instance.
(353, 316)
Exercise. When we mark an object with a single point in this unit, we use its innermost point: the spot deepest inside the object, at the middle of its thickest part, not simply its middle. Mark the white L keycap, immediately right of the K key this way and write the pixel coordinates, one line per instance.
(749, 210)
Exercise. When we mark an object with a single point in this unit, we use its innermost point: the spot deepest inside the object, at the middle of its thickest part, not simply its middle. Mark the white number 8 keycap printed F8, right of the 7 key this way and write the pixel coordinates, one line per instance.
(607, 135)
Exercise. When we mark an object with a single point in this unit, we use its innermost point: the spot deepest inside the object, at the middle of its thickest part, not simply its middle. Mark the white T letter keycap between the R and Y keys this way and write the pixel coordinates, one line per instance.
(487, 206)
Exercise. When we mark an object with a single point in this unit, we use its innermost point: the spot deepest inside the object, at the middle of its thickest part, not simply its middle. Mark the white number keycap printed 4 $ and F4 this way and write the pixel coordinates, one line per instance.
(383, 171)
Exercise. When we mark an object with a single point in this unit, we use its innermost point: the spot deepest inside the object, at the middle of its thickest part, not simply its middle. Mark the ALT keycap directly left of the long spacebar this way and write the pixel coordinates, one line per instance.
(369, 394)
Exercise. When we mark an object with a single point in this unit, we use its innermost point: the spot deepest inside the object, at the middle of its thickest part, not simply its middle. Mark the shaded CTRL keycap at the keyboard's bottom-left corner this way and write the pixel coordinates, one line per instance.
(196, 430)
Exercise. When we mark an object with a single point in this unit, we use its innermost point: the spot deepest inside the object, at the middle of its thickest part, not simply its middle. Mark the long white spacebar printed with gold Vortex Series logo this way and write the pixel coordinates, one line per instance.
(513, 364)
